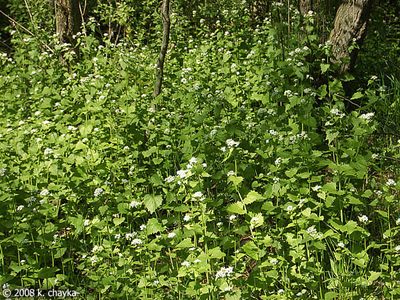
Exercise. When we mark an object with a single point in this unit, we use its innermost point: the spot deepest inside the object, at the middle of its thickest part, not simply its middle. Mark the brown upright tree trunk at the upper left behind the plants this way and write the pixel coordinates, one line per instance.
(68, 19)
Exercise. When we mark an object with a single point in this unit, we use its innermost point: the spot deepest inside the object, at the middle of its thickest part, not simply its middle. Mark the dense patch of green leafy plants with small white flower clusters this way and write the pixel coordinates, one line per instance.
(243, 180)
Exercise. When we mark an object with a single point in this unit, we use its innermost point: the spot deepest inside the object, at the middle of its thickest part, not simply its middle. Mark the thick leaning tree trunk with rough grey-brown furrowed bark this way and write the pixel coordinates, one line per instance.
(349, 27)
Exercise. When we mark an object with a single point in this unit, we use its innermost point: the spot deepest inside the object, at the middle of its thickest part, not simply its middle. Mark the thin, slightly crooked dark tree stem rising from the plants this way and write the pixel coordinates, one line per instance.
(164, 47)
